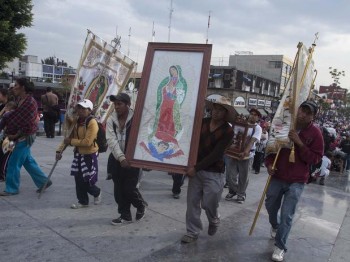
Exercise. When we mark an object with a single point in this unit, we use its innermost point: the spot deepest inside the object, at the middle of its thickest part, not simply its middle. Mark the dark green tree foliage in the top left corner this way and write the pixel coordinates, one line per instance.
(14, 15)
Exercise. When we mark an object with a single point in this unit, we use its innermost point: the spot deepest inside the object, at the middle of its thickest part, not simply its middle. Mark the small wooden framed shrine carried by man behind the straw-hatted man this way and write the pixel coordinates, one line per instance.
(240, 140)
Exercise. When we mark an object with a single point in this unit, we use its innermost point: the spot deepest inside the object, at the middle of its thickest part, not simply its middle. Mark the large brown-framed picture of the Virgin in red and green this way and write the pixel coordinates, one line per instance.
(169, 108)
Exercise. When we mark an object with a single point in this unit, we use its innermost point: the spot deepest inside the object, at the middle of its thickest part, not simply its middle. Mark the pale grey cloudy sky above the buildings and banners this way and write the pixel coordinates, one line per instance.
(259, 26)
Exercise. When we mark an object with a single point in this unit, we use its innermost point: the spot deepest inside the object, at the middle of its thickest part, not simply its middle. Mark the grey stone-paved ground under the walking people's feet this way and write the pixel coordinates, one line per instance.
(46, 229)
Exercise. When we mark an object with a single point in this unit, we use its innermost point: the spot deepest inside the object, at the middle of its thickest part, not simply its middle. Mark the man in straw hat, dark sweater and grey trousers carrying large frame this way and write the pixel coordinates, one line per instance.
(206, 178)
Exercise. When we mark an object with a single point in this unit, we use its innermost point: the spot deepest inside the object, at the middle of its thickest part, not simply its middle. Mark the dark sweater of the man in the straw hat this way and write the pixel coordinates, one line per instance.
(212, 146)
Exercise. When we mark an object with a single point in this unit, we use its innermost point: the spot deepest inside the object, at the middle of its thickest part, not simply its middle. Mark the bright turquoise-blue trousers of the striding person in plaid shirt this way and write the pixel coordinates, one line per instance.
(21, 156)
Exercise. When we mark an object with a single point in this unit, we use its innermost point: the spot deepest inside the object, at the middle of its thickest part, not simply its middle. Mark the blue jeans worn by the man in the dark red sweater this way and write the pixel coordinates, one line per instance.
(290, 193)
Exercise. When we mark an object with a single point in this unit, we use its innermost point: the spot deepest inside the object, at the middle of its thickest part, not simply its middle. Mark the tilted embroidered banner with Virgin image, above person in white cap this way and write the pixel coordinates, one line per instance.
(102, 71)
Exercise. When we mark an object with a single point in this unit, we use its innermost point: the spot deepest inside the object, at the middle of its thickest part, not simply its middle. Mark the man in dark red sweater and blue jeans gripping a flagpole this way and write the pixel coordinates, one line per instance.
(288, 178)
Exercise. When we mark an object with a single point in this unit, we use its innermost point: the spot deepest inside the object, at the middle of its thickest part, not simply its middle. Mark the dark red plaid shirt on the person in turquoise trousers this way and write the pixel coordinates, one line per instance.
(23, 119)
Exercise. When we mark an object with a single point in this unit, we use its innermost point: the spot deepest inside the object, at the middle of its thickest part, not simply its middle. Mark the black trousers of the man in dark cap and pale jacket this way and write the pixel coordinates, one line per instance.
(125, 192)
